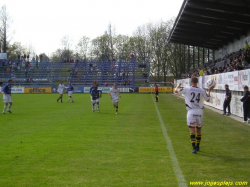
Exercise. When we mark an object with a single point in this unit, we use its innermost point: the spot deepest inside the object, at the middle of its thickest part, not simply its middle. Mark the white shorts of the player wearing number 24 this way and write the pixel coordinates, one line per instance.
(195, 117)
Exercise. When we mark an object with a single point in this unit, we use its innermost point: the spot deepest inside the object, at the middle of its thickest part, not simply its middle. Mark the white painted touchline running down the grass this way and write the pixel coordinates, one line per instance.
(177, 170)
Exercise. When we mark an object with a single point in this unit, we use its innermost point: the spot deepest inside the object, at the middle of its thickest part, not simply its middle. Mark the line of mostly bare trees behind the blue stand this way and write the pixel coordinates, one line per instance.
(148, 41)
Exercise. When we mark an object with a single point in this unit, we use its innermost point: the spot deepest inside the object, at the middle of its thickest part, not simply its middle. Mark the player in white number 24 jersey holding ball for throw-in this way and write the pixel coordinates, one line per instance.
(194, 104)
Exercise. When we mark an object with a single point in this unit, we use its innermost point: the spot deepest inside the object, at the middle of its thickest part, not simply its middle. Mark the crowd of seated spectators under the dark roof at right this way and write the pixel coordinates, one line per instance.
(235, 61)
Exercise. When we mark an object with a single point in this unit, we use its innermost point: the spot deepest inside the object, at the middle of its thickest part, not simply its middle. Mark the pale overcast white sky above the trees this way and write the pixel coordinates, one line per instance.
(43, 23)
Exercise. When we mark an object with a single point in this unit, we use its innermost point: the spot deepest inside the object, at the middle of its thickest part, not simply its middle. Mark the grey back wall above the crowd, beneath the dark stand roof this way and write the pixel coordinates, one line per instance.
(232, 47)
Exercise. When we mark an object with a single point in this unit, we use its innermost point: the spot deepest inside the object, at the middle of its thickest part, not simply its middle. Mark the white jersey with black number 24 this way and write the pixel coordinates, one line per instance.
(194, 97)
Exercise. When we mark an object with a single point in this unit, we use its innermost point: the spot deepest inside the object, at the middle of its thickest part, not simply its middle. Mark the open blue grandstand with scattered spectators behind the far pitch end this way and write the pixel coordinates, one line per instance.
(125, 72)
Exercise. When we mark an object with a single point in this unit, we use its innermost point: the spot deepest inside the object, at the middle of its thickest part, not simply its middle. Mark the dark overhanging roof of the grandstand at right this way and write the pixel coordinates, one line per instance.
(211, 23)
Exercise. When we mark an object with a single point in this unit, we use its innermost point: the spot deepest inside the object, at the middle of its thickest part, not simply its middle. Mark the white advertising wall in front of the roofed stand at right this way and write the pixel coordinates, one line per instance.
(236, 81)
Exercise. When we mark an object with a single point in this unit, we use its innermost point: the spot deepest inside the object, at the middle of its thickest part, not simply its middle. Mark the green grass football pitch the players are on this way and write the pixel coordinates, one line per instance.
(44, 143)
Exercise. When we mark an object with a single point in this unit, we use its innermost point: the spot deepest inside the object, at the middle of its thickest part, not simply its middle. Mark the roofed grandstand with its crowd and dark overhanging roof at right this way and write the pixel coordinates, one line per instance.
(219, 30)
